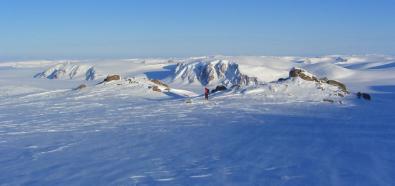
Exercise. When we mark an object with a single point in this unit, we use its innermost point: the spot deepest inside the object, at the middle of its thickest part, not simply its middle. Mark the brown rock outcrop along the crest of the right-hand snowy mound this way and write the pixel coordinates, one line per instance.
(295, 72)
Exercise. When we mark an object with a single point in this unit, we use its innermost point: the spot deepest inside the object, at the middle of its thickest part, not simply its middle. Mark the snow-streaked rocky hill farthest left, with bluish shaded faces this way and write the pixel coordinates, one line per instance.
(68, 71)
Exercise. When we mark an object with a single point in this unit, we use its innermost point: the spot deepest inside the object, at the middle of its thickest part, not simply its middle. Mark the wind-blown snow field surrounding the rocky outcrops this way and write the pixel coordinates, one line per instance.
(122, 133)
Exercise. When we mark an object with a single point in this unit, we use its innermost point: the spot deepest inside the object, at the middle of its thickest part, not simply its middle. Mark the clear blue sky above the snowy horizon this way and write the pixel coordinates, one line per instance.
(176, 28)
